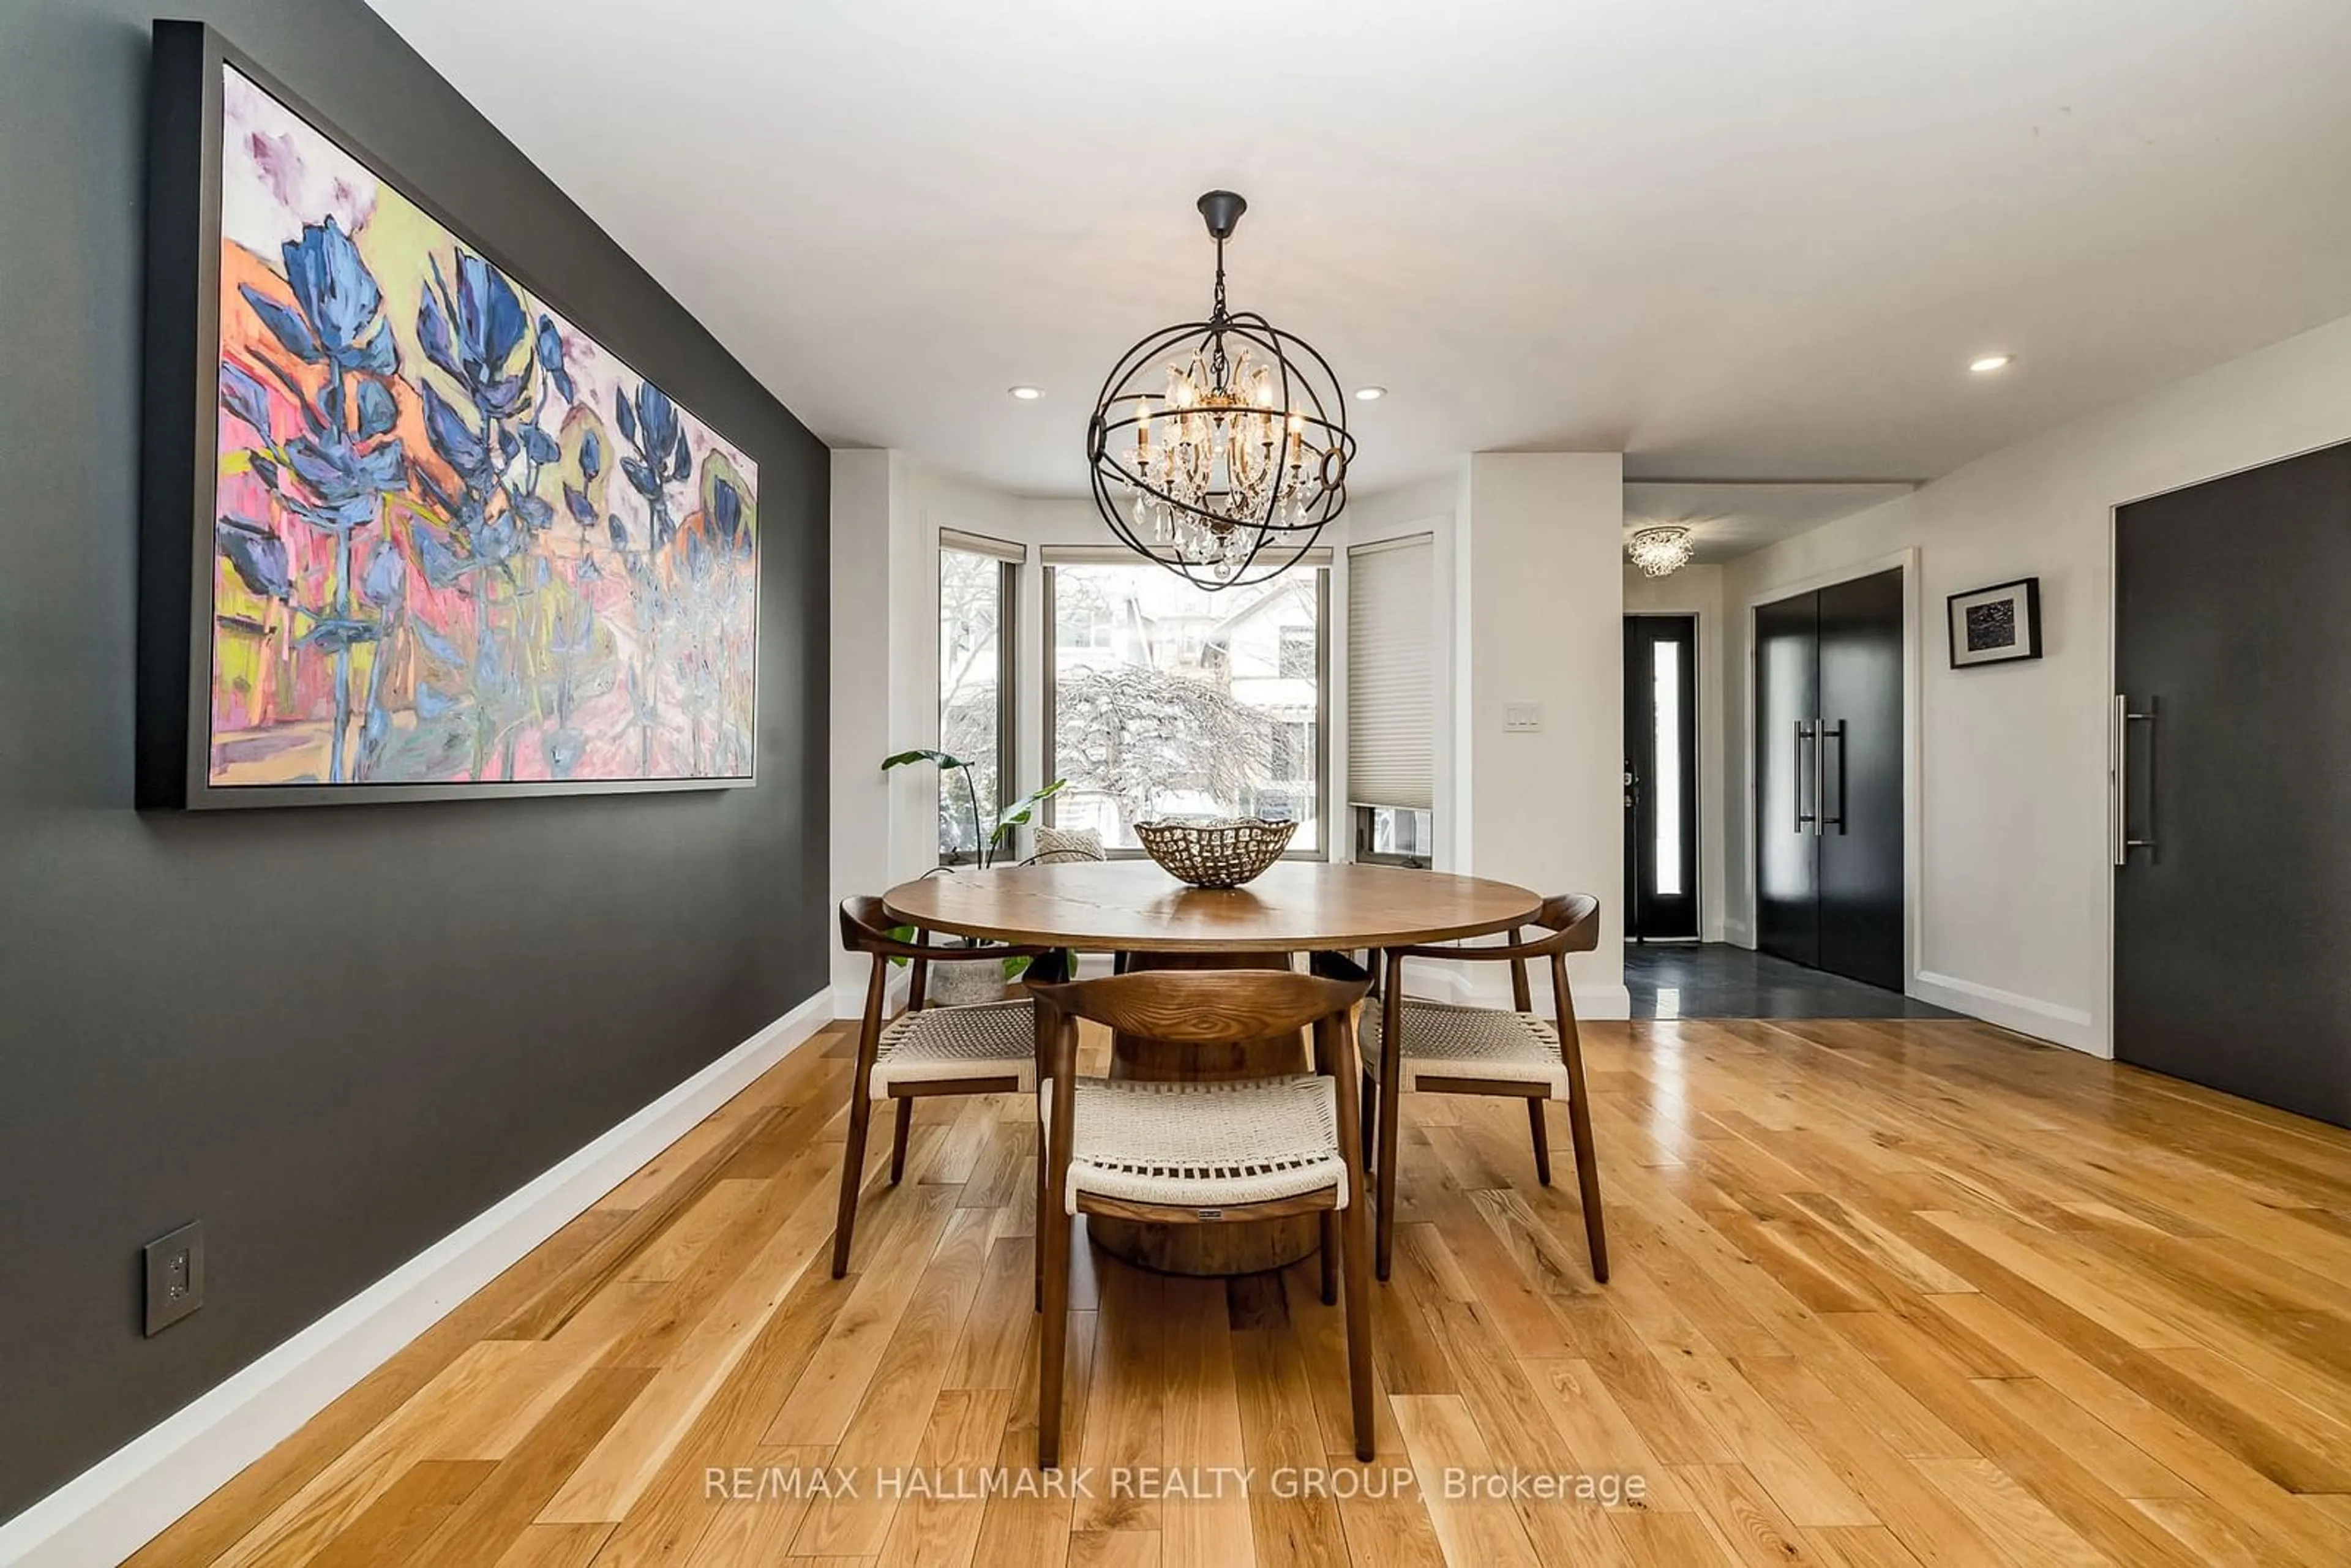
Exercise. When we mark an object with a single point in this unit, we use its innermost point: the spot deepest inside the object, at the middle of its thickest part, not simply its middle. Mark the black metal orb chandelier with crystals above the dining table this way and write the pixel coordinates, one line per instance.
(1221, 448)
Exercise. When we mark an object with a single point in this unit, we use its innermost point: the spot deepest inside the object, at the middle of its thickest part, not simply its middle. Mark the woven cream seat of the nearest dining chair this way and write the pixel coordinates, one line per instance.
(1205, 1146)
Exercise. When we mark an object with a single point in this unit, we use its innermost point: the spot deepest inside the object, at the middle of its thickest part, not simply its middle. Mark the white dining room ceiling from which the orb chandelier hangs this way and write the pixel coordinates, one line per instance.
(1732, 239)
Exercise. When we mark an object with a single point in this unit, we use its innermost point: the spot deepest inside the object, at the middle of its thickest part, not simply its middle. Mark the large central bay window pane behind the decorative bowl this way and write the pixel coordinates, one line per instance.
(1179, 702)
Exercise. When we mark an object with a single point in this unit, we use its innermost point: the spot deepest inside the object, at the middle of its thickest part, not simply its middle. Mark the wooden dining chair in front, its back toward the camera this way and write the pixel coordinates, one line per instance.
(1205, 1153)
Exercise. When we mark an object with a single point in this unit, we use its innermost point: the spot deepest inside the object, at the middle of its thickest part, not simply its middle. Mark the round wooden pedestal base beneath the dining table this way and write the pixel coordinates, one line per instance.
(1245, 1247)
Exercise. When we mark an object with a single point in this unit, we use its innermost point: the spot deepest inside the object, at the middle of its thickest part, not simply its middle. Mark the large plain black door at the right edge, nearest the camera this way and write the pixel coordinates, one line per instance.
(2232, 819)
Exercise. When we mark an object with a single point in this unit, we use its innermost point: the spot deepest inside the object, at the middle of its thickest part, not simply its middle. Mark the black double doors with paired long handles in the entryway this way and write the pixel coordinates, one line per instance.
(1830, 779)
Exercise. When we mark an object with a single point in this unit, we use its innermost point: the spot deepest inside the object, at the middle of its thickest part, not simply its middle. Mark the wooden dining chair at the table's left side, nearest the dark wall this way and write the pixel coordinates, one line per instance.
(927, 1050)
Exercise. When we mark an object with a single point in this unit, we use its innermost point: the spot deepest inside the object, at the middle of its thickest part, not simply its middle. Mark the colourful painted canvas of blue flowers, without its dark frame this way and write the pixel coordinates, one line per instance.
(457, 540)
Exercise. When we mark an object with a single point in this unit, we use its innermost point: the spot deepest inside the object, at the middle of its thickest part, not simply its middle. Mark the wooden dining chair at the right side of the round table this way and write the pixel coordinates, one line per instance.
(1487, 1052)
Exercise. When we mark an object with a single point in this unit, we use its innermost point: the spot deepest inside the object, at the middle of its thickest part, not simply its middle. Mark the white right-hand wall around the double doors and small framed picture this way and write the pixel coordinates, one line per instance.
(2014, 864)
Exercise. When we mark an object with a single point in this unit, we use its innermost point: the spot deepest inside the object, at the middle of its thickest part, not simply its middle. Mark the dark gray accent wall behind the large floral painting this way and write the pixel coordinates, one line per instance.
(333, 1036)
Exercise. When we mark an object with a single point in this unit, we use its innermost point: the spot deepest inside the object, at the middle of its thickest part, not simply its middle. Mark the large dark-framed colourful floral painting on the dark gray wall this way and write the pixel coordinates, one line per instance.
(410, 530)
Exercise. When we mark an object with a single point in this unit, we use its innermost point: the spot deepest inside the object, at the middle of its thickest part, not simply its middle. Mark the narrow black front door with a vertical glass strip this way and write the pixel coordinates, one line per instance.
(1661, 777)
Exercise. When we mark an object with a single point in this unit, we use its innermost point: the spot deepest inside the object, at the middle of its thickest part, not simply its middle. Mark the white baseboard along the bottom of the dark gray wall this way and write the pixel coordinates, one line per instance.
(130, 1496)
